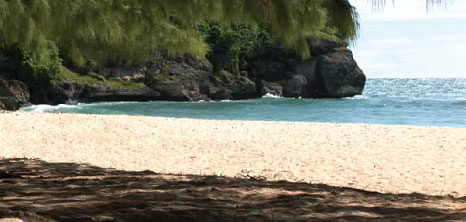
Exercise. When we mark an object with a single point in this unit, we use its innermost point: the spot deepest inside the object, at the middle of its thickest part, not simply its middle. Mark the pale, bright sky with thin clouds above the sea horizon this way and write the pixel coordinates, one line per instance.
(405, 40)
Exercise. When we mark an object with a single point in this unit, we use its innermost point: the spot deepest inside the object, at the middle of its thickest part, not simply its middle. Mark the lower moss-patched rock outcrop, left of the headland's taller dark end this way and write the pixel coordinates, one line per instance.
(170, 79)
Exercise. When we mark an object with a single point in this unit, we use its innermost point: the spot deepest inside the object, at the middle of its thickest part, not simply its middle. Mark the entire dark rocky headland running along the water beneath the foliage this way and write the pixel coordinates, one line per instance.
(331, 72)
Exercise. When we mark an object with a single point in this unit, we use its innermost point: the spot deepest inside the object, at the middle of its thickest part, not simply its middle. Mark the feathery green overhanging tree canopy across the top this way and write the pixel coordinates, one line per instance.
(131, 30)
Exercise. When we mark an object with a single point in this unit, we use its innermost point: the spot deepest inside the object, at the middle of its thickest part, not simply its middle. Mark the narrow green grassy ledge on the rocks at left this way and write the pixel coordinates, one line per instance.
(95, 79)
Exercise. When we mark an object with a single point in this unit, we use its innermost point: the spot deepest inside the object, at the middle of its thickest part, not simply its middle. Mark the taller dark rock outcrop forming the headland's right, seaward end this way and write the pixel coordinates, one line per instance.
(330, 73)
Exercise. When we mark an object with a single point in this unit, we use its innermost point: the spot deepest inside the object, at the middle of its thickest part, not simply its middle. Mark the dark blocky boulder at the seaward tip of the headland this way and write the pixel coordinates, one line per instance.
(339, 75)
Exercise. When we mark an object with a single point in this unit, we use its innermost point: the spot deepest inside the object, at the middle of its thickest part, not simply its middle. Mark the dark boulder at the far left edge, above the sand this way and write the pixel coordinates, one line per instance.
(13, 94)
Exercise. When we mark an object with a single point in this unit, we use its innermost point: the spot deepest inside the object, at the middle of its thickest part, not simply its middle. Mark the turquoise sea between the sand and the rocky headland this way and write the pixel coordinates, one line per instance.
(422, 102)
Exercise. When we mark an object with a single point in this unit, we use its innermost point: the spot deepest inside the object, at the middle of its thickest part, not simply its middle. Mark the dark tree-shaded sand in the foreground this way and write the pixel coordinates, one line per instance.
(35, 190)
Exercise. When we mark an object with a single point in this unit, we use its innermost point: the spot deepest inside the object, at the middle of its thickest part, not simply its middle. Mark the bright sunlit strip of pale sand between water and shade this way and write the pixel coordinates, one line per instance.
(395, 159)
